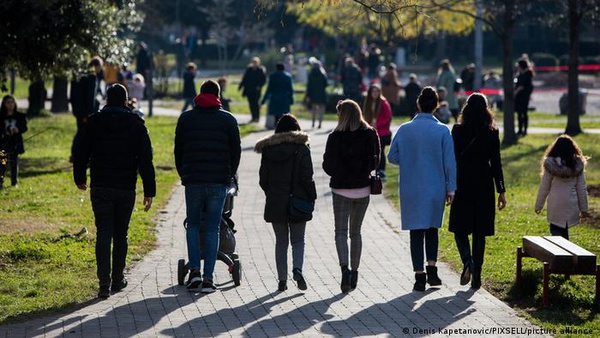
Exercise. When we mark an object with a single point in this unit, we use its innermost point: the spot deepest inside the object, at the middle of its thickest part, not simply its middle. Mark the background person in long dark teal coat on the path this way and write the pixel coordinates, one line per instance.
(279, 94)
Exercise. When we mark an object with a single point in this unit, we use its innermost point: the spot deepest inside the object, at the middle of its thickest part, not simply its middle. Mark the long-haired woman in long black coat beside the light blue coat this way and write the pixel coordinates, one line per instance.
(479, 166)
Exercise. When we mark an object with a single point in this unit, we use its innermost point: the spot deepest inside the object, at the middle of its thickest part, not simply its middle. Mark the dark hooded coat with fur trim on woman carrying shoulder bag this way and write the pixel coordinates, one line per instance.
(277, 167)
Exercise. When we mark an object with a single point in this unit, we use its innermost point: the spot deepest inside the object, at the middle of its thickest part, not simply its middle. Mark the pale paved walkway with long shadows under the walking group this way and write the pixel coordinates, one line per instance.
(382, 305)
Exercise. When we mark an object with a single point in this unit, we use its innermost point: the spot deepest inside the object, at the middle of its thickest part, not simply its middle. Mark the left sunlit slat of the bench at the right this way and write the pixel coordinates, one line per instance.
(546, 251)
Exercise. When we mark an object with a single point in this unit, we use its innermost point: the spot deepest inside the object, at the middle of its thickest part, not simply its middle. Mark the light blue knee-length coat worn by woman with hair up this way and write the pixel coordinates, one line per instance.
(424, 151)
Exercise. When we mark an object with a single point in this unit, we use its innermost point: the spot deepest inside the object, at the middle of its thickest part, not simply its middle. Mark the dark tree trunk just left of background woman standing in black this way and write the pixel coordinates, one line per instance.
(510, 137)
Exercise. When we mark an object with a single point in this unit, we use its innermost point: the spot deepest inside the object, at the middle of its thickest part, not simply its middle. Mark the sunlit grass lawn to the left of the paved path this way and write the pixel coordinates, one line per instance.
(37, 217)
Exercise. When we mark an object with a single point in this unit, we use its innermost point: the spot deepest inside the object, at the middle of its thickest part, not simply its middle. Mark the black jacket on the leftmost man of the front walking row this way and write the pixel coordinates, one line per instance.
(116, 144)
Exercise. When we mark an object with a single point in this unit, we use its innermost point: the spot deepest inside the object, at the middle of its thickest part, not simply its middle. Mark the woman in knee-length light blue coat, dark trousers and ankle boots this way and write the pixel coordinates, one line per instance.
(424, 151)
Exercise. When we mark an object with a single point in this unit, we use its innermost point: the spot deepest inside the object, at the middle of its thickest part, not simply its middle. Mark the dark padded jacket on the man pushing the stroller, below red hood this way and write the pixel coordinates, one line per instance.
(207, 146)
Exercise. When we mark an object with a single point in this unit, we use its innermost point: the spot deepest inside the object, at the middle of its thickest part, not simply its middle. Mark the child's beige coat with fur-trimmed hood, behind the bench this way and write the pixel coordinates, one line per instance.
(565, 189)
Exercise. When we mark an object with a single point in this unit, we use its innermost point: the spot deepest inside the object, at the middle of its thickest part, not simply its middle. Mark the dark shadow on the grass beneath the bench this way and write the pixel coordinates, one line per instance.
(571, 300)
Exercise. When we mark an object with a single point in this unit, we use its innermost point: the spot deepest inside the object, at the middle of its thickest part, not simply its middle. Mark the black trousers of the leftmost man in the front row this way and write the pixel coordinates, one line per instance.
(112, 212)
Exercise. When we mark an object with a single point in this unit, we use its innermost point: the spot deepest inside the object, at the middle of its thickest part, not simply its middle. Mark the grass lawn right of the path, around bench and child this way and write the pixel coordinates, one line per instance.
(571, 300)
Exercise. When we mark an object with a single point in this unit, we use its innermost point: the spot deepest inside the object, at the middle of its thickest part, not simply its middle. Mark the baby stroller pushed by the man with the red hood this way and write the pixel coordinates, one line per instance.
(226, 253)
